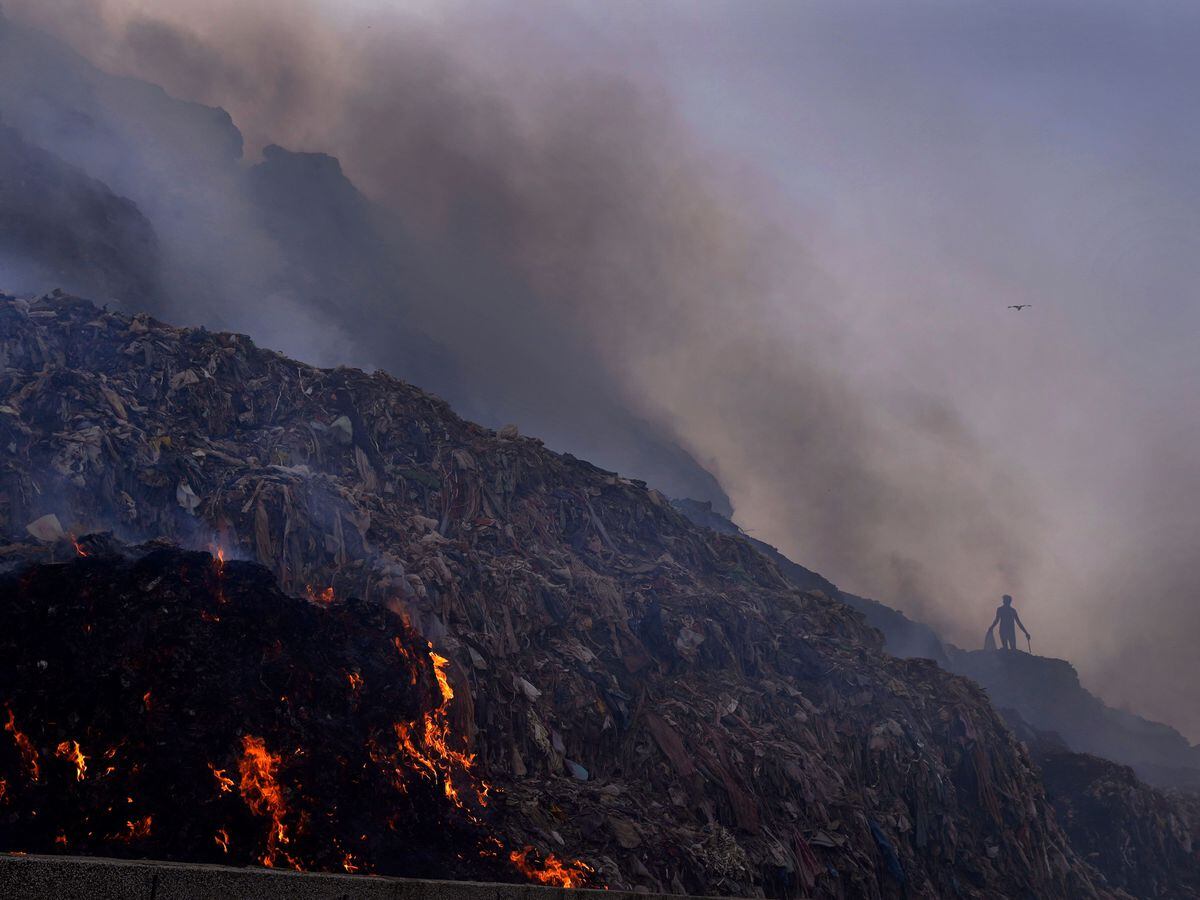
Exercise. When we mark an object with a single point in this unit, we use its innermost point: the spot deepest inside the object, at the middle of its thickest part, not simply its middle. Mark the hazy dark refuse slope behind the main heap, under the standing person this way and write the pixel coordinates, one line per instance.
(1143, 841)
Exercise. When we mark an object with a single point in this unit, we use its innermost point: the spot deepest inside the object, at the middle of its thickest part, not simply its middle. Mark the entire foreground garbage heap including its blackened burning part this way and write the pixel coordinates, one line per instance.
(640, 694)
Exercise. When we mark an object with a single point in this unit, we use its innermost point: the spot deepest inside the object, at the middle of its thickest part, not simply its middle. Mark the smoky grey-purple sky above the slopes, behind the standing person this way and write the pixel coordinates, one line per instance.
(789, 235)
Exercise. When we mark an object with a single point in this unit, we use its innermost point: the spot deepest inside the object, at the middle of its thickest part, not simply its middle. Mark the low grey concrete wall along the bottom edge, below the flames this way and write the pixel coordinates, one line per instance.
(94, 879)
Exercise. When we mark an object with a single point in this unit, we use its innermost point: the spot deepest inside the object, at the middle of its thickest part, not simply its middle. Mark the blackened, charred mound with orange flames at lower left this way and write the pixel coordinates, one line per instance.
(172, 673)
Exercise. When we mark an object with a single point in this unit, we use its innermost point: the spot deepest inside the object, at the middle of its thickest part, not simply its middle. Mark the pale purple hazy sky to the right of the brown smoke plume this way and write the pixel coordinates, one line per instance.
(953, 159)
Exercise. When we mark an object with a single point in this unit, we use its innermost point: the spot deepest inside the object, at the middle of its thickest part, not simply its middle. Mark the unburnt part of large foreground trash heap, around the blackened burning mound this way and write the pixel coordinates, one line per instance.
(645, 695)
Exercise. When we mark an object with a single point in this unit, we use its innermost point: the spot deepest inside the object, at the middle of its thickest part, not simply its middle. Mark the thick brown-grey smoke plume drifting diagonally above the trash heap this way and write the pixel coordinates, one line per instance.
(575, 259)
